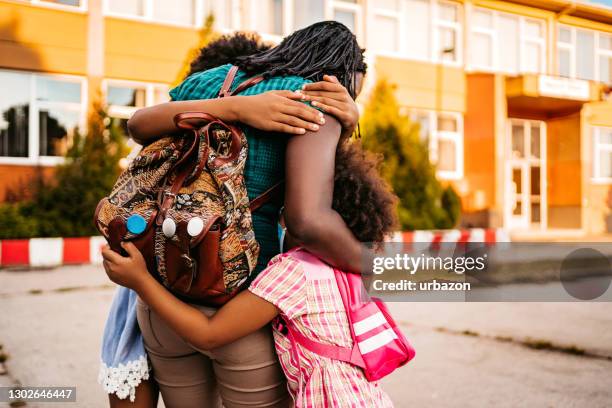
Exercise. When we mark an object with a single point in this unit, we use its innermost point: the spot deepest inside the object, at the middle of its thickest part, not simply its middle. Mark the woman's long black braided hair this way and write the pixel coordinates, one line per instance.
(327, 47)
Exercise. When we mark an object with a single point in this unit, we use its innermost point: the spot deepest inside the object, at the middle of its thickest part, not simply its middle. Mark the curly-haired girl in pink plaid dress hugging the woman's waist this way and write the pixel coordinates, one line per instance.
(289, 287)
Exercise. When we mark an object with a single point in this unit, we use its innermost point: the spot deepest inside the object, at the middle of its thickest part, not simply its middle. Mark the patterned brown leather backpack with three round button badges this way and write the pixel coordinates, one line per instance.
(184, 204)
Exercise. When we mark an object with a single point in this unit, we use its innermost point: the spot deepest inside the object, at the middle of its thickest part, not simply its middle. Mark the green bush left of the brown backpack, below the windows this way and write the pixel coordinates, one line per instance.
(64, 206)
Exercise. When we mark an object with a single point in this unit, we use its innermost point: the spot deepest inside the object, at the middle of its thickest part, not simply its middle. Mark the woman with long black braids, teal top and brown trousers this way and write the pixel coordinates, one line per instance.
(321, 64)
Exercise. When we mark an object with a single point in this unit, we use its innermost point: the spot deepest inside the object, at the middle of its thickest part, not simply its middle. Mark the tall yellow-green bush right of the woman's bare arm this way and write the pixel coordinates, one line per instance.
(424, 203)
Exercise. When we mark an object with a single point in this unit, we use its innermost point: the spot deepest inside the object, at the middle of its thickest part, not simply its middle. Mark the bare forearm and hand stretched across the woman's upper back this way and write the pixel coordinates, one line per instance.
(274, 111)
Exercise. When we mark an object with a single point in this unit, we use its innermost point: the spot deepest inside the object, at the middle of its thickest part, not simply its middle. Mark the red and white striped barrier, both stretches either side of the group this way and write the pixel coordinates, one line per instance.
(48, 252)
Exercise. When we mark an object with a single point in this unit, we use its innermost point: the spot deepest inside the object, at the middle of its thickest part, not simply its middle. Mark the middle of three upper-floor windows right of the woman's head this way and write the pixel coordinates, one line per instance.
(506, 42)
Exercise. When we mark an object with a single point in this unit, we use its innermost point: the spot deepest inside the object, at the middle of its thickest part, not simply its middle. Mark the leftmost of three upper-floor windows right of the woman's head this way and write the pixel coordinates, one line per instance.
(421, 29)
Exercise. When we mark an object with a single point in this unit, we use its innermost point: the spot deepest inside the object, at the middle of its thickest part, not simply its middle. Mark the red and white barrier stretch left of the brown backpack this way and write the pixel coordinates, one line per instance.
(47, 252)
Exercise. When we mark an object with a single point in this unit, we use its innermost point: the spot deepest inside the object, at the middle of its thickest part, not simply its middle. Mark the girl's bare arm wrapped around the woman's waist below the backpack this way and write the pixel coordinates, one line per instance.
(242, 315)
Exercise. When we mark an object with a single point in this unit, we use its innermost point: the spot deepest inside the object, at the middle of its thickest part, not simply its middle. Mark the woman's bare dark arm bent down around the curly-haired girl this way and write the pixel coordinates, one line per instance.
(309, 216)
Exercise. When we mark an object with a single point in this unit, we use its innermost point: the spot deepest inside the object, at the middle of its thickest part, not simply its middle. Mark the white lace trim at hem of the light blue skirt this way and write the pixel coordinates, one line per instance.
(124, 379)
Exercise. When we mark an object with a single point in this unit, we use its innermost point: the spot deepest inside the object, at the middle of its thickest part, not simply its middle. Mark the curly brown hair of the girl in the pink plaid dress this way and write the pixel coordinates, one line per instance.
(362, 198)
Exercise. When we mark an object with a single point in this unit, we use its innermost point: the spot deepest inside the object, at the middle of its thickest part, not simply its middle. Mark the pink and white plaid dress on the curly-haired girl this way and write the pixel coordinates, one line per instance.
(308, 296)
